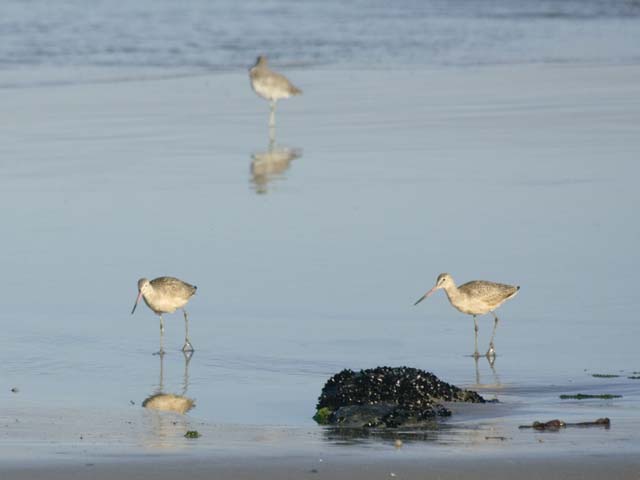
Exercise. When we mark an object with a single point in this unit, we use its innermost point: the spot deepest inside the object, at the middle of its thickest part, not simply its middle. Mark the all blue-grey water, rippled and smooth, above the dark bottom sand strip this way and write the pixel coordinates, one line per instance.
(494, 140)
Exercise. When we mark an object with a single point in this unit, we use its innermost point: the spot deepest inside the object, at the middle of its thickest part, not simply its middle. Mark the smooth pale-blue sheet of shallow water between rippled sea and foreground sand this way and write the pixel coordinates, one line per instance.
(523, 175)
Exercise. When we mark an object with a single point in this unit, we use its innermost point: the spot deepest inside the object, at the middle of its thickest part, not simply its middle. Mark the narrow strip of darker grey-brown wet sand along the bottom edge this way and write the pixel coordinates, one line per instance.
(370, 467)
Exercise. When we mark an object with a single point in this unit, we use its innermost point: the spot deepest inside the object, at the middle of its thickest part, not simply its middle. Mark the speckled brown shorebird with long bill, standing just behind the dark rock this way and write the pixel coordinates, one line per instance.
(475, 298)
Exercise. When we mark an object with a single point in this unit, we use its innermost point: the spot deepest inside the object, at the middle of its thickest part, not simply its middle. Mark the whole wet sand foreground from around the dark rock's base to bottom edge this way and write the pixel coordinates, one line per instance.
(479, 439)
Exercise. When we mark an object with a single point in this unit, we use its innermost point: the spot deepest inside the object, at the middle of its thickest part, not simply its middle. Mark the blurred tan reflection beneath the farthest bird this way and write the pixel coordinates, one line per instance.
(271, 164)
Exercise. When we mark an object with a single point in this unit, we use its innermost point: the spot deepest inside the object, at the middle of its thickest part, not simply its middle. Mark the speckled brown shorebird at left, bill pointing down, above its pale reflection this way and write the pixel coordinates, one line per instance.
(166, 295)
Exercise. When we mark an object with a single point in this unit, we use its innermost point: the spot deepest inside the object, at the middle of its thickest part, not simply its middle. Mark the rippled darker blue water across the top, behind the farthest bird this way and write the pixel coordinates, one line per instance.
(168, 39)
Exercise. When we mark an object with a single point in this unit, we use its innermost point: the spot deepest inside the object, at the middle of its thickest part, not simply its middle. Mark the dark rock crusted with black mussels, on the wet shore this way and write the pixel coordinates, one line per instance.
(387, 397)
